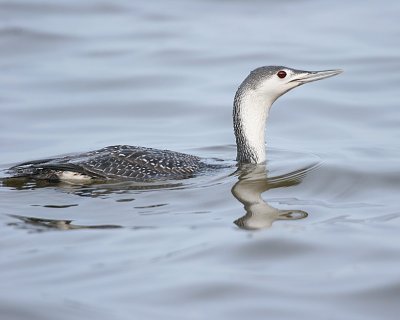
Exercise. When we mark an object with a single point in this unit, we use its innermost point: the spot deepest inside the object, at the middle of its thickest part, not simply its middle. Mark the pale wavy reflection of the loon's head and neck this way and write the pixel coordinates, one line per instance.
(252, 182)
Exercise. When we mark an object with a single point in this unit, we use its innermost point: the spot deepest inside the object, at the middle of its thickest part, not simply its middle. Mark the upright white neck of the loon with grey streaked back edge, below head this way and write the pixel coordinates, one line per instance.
(250, 113)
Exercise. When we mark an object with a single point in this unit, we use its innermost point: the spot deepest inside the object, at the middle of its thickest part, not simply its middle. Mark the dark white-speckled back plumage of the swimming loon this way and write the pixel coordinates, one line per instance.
(115, 163)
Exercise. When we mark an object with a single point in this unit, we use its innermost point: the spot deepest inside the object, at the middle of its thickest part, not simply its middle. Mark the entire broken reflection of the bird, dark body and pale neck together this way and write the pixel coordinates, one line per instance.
(253, 181)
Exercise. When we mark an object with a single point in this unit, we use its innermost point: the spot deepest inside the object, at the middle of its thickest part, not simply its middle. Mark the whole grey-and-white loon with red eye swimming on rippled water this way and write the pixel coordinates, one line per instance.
(251, 106)
